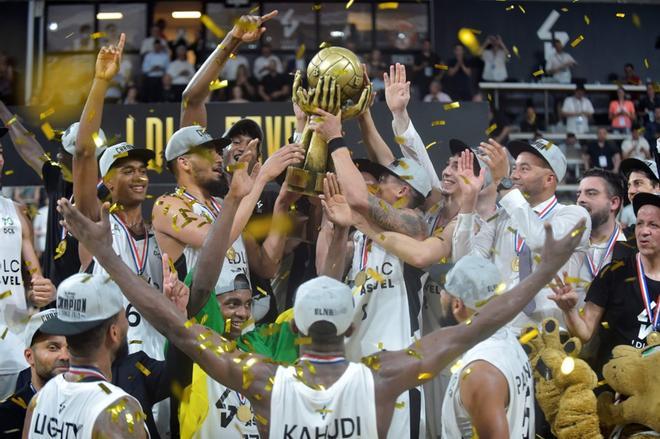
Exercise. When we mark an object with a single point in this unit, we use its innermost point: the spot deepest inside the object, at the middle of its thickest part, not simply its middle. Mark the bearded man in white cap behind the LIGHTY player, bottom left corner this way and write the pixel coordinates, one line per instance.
(47, 356)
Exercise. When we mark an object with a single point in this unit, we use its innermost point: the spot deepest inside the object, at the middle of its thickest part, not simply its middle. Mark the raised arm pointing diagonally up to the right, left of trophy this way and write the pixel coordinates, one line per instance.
(248, 29)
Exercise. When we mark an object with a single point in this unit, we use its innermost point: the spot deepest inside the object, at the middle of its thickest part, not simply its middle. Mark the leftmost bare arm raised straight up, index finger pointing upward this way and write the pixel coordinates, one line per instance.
(85, 167)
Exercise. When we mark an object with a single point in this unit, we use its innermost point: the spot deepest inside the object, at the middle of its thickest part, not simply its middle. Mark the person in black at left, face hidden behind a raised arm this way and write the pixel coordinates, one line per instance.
(60, 258)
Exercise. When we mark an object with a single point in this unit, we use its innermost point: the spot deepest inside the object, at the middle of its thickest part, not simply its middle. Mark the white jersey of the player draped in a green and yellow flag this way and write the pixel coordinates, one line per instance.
(230, 414)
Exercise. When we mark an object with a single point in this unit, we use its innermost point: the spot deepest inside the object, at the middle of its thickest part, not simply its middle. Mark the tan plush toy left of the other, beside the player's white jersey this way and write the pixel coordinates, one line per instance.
(563, 383)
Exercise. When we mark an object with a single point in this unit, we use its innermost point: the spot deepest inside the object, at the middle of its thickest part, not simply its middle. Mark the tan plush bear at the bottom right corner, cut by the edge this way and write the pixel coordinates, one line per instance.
(633, 374)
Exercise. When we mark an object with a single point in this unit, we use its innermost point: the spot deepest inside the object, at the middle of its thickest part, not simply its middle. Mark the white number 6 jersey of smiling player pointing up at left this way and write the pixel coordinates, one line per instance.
(141, 335)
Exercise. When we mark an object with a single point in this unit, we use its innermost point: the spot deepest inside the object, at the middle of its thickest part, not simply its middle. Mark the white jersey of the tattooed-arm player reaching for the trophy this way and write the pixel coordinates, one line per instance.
(387, 317)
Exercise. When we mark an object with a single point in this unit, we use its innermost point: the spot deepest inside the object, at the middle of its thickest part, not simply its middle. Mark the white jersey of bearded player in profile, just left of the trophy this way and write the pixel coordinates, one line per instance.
(235, 260)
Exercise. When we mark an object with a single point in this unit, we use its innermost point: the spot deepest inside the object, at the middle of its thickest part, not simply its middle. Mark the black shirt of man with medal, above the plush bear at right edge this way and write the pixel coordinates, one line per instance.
(617, 290)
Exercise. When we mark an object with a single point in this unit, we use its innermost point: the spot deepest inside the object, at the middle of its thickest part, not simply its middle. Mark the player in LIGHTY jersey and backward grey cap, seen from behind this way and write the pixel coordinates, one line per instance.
(82, 402)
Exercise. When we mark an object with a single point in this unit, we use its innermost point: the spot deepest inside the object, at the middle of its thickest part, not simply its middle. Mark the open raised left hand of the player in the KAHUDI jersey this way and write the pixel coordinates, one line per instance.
(94, 236)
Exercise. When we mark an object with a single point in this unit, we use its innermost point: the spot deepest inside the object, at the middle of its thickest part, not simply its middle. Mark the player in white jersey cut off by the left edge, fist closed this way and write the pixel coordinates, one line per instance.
(21, 284)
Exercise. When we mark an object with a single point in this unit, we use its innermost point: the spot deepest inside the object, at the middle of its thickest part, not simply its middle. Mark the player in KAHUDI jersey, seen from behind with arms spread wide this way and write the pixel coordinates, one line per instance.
(324, 394)
